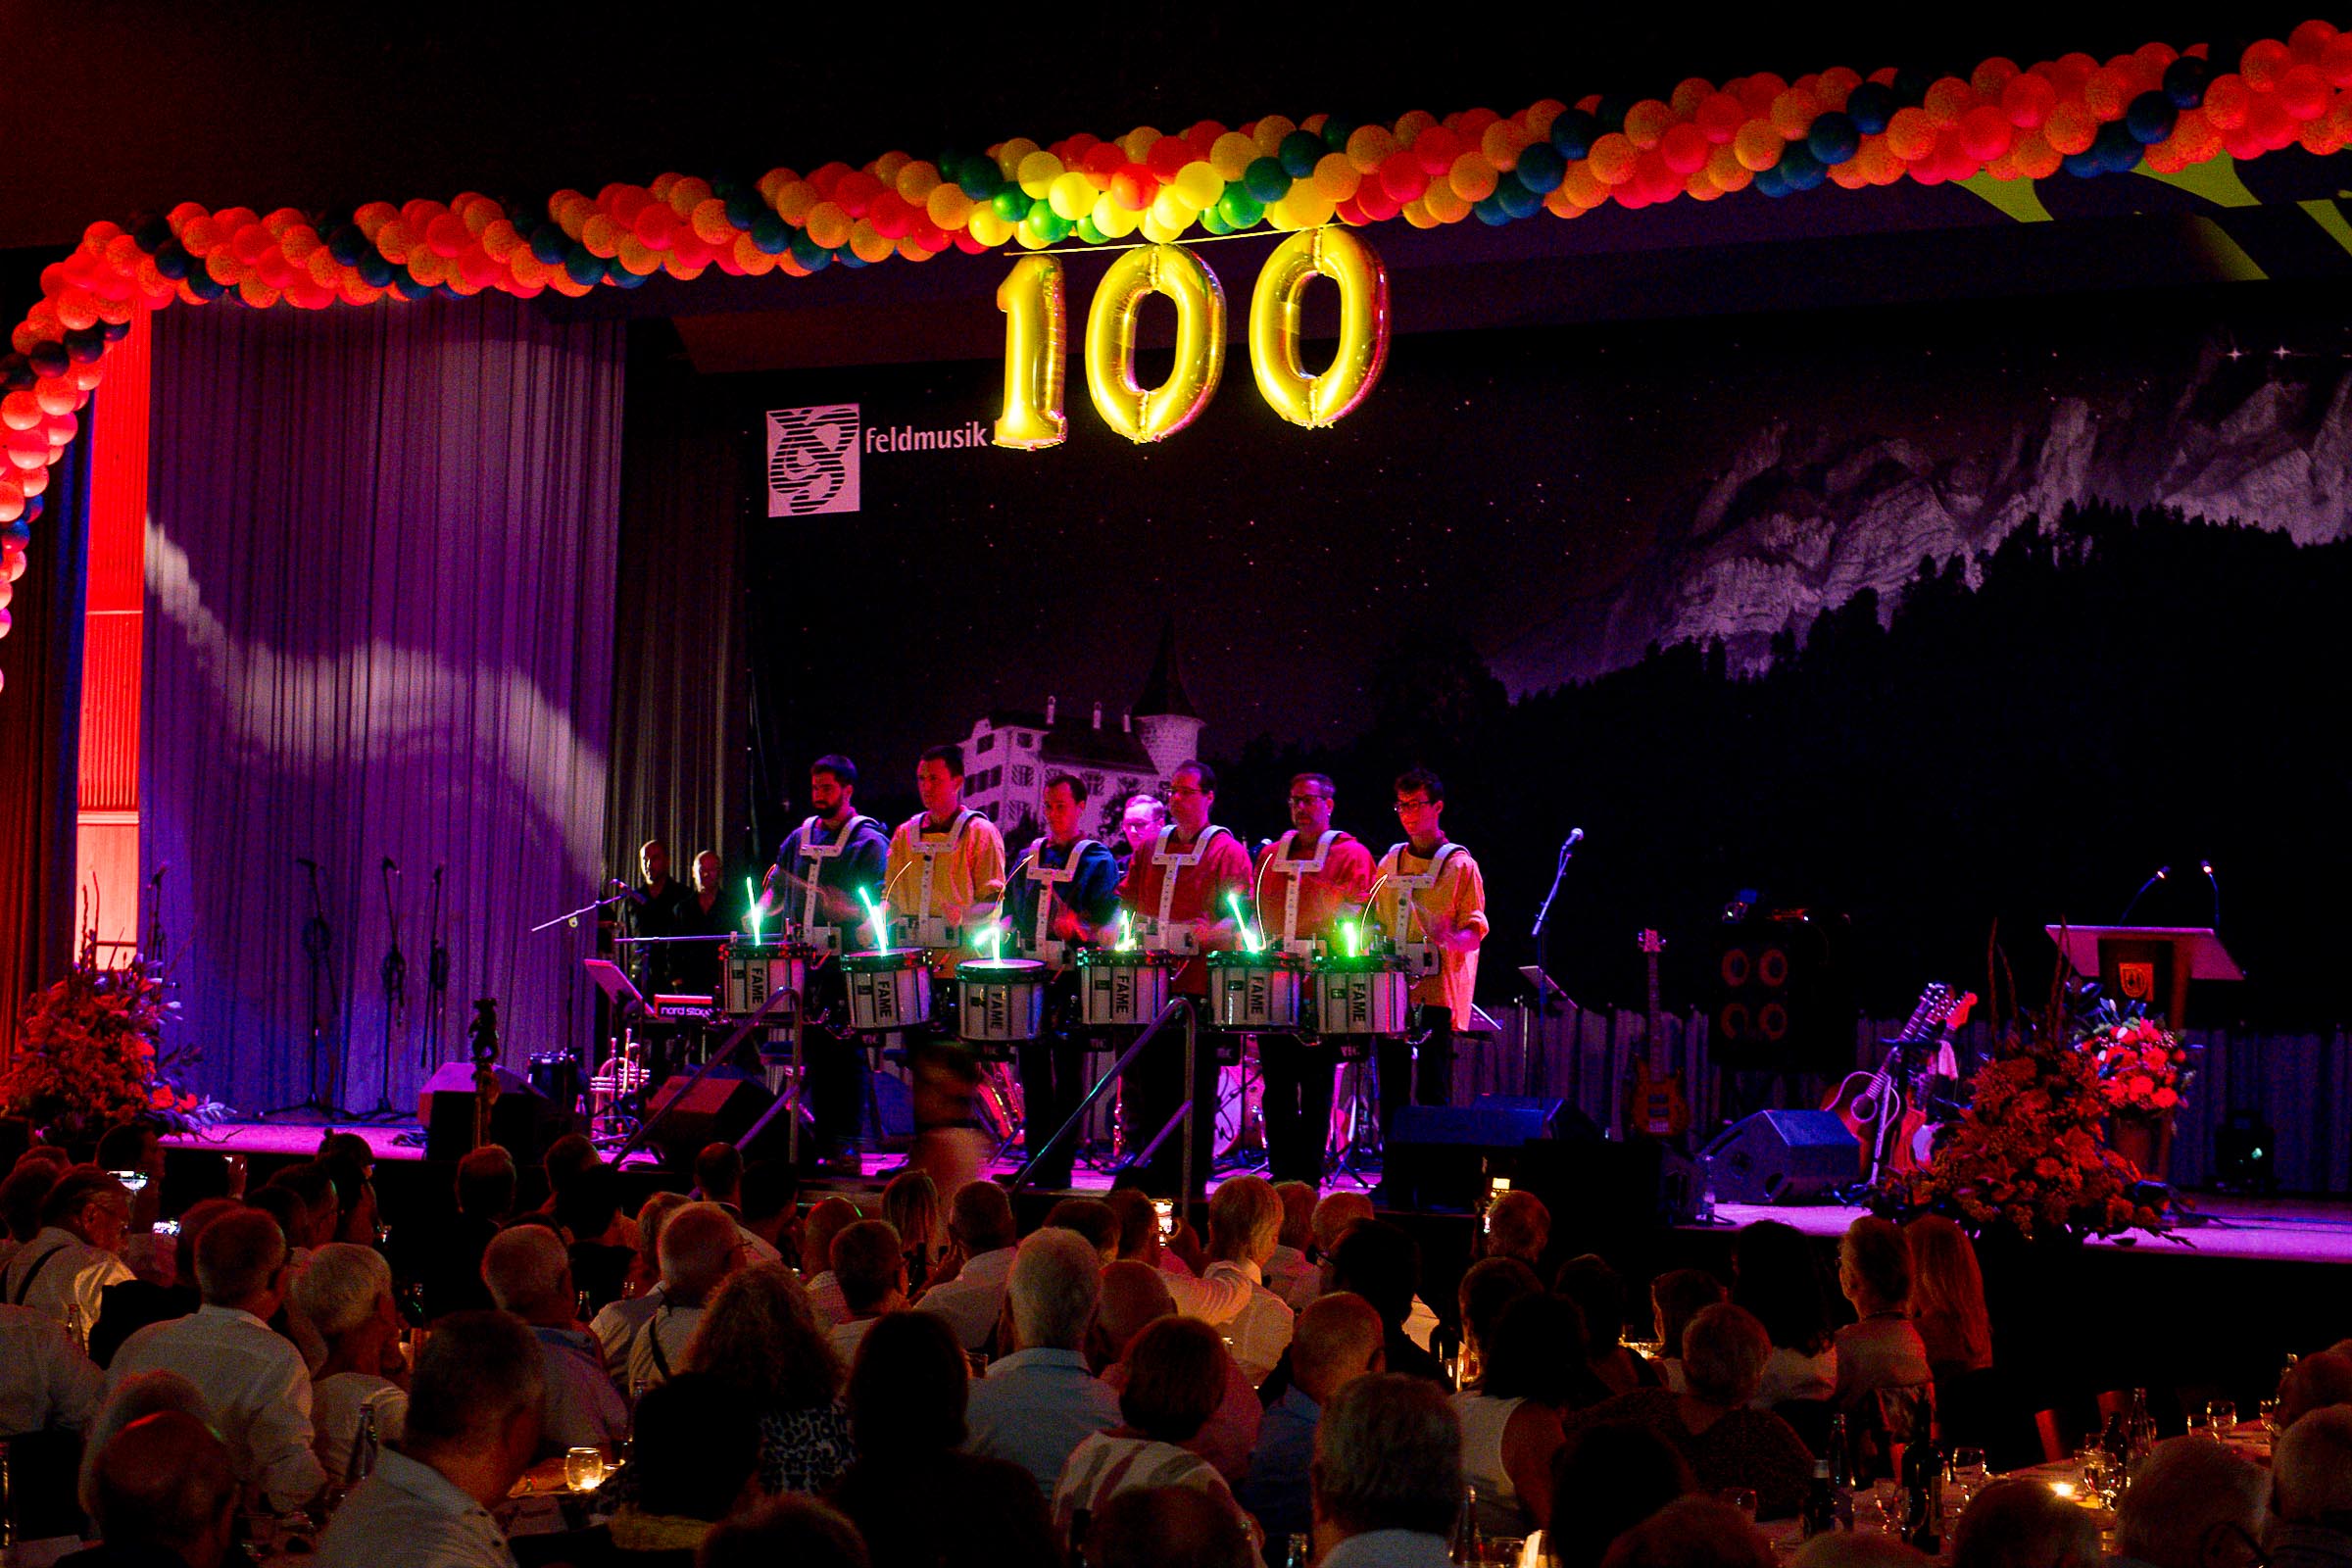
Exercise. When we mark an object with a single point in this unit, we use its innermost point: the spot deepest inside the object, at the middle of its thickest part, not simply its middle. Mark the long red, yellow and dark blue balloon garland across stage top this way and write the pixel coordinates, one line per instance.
(2156, 109)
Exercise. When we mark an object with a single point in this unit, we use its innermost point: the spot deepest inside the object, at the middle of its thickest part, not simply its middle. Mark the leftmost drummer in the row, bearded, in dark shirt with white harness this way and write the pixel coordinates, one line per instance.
(815, 883)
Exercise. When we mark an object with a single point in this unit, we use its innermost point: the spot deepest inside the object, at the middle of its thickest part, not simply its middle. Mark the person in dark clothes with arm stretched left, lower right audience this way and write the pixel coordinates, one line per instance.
(1716, 1423)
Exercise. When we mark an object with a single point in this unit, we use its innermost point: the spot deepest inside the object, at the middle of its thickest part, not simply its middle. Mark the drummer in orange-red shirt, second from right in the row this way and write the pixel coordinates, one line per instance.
(1309, 883)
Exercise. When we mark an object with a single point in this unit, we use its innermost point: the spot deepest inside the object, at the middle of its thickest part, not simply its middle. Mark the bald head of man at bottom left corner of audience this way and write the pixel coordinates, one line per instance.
(166, 1496)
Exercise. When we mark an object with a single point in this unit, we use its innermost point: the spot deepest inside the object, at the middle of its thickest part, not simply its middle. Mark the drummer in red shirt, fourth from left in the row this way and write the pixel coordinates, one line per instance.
(1182, 890)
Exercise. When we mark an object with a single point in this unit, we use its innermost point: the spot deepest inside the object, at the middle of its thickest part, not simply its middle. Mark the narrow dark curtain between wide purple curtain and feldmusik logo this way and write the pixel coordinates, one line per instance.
(679, 683)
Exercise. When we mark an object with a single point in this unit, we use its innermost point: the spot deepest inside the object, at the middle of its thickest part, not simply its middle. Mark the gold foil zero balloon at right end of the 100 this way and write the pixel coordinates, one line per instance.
(1363, 326)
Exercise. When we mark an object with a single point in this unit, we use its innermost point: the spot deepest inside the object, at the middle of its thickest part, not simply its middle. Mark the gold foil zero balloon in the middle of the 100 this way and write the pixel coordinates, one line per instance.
(1154, 415)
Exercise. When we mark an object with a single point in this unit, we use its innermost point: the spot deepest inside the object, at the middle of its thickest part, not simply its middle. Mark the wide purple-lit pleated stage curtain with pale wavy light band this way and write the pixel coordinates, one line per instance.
(377, 629)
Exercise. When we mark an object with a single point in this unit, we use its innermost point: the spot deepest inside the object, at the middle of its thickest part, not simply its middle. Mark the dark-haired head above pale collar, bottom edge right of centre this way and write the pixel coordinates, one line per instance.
(1389, 1475)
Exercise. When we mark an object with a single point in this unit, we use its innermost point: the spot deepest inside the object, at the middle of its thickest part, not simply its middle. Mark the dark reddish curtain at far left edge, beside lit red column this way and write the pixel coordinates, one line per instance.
(41, 723)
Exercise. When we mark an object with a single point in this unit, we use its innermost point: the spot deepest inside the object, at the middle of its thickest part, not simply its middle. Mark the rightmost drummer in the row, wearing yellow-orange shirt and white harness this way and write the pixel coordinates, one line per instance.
(1429, 892)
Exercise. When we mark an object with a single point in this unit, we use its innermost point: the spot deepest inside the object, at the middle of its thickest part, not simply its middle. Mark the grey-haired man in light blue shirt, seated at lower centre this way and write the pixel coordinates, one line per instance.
(1041, 1402)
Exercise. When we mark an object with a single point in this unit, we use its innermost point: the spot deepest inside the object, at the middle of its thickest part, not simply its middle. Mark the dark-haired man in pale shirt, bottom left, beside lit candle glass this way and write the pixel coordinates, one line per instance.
(474, 1428)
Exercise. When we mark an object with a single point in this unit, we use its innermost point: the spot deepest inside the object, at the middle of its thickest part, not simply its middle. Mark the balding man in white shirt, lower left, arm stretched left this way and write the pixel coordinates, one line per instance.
(253, 1379)
